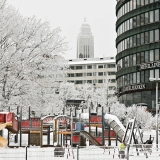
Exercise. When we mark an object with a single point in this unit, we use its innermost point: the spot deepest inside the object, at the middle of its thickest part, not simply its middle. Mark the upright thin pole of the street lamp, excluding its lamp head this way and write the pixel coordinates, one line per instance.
(157, 114)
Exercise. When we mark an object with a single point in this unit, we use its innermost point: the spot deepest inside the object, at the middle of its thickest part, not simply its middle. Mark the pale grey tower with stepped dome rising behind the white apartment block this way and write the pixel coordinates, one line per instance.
(85, 42)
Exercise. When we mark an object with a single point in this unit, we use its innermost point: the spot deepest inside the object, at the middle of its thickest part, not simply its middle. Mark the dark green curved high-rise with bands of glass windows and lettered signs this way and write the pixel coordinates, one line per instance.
(138, 51)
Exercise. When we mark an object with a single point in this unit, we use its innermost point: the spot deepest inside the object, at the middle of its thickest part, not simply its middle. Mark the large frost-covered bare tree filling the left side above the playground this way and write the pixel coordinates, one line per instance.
(28, 48)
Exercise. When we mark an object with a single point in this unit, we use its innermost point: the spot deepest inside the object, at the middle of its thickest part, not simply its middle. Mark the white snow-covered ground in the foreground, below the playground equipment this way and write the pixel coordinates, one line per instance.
(85, 153)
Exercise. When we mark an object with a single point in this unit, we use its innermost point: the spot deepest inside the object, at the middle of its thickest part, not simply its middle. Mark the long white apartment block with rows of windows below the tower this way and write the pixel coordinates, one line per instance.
(92, 70)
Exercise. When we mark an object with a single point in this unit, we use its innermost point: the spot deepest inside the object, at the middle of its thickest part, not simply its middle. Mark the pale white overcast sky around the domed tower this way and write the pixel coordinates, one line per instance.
(69, 16)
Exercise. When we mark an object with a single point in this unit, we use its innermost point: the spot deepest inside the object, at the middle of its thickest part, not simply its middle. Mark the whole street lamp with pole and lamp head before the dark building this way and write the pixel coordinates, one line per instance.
(157, 107)
